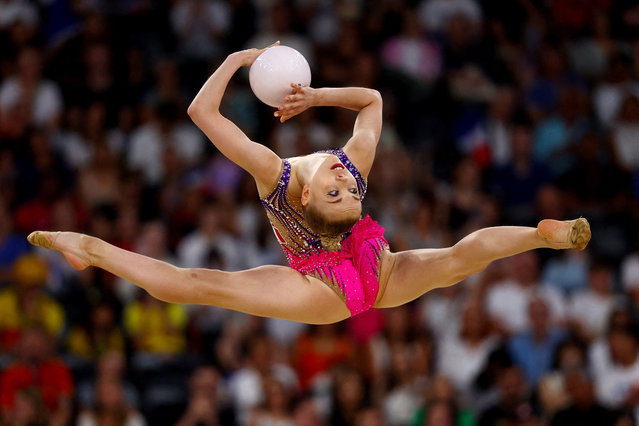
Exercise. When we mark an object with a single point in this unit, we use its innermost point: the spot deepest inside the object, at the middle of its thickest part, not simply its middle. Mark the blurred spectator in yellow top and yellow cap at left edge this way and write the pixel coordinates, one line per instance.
(25, 303)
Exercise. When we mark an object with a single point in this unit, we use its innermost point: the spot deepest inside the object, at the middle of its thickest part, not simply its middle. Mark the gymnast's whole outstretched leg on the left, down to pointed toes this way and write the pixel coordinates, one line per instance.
(268, 291)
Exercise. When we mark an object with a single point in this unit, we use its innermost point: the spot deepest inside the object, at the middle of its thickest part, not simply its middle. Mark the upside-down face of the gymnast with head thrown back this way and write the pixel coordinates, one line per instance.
(333, 190)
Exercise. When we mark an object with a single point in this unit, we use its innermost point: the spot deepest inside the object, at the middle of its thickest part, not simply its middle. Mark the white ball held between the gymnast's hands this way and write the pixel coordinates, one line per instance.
(273, 72)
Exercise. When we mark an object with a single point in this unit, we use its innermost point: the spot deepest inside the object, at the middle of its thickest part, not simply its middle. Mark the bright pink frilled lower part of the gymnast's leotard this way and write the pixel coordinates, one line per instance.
(355, 268)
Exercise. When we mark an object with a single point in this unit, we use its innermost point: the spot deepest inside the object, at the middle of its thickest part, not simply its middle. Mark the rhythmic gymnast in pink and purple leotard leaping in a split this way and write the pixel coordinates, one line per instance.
(340, 263)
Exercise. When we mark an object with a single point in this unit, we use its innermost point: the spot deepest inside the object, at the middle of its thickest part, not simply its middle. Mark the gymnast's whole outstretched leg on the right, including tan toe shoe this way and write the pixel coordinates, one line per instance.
(412, 273)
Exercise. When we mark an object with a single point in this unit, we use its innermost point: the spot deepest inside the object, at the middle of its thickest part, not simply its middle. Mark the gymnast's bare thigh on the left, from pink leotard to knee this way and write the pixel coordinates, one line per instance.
(277, 292)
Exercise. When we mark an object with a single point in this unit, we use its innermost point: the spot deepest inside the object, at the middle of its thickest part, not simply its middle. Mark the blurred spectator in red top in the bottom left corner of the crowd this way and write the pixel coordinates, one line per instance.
(35, 367)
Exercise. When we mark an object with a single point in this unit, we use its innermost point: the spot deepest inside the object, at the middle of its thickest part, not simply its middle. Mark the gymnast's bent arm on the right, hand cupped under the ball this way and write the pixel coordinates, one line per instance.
(360, 148)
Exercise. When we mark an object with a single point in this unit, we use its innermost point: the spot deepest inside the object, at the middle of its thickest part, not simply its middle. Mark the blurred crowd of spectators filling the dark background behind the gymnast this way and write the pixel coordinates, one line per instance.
(494, 113)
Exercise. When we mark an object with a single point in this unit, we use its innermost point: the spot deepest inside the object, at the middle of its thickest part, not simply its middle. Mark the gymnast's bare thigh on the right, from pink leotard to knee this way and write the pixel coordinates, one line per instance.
(407, 275)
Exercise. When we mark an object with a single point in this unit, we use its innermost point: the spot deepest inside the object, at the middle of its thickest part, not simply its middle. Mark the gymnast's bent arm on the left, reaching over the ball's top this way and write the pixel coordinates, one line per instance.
(262, 163)
